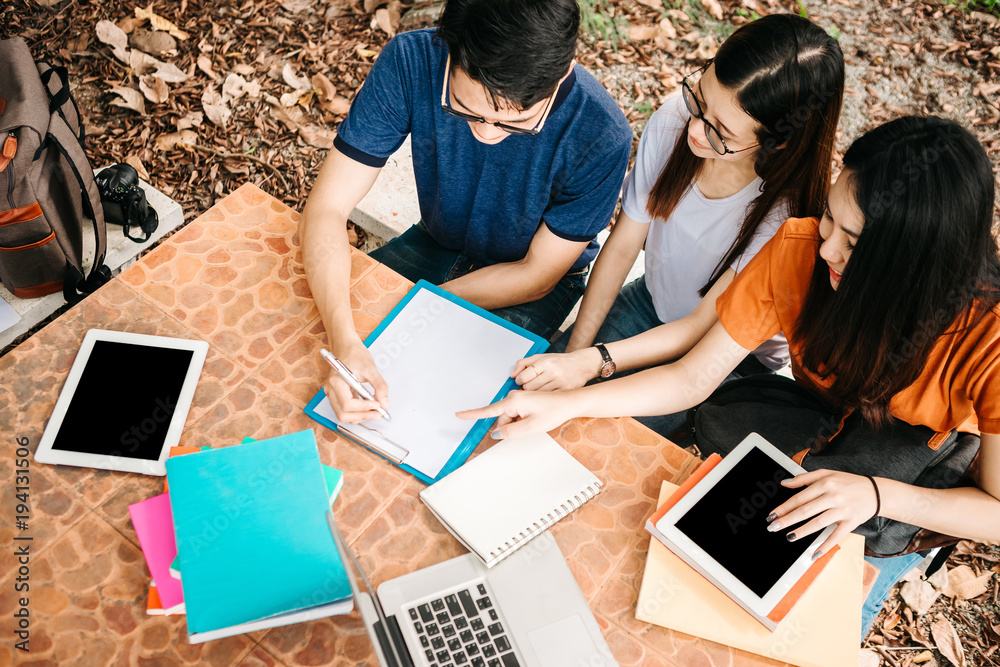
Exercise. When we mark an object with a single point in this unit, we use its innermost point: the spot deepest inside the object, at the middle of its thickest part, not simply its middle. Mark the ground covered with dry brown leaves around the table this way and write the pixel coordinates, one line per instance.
(202, 97)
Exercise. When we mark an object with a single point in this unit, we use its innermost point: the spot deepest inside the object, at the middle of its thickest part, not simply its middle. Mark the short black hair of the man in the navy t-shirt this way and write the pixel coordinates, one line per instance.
(517, 49)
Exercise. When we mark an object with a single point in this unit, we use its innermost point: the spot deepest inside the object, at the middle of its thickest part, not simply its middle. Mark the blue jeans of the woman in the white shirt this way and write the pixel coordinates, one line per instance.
(631, 314)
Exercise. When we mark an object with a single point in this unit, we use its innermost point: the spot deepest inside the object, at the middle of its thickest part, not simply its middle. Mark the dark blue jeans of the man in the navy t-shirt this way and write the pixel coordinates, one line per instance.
(417, 256)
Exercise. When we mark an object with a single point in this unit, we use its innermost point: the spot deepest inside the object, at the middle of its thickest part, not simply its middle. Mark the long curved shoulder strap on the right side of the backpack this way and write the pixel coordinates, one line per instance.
(66, 141)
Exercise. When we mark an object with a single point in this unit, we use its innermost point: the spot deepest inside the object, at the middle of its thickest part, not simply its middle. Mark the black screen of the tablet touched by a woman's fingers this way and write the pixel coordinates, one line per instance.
(729, 523)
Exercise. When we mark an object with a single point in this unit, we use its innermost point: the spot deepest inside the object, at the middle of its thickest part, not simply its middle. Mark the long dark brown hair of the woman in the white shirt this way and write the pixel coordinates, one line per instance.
(788, 75)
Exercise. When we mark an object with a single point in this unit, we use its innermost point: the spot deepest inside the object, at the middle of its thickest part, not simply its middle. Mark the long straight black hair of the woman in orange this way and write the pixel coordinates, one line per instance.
(924, 266)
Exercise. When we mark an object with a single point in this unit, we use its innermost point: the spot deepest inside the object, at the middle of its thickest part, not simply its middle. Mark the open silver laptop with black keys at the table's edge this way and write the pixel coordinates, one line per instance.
(526, 611)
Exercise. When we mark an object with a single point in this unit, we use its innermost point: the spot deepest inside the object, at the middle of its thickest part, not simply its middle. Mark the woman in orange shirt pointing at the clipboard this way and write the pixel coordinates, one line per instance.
(890, 307)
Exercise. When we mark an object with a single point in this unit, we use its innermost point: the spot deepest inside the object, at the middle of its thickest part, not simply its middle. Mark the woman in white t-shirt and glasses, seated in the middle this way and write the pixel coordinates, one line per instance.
(746, 145)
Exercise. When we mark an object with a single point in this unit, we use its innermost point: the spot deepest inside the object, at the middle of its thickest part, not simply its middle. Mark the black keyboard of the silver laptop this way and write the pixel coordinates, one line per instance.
(463, 630)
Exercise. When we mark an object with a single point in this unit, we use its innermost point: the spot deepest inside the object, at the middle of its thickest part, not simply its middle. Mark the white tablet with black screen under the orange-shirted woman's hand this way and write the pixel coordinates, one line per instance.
(720, 527)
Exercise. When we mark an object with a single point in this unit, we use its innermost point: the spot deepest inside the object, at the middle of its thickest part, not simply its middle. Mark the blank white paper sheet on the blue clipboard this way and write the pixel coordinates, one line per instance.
(437, 358)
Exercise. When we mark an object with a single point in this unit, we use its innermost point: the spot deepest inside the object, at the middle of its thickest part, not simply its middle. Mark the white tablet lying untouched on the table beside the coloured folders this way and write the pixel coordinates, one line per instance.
(124, 402)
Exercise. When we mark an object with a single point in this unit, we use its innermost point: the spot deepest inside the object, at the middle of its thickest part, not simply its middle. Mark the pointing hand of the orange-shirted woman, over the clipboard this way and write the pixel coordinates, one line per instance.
(525, 413)
